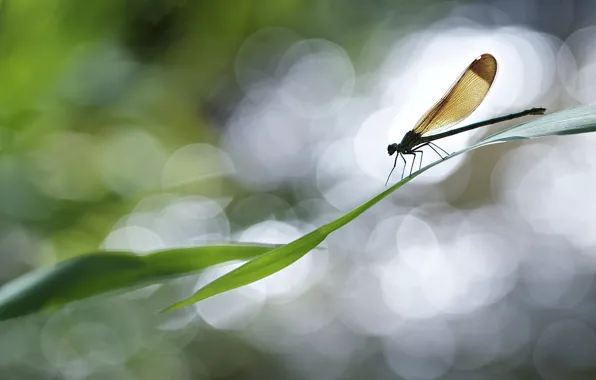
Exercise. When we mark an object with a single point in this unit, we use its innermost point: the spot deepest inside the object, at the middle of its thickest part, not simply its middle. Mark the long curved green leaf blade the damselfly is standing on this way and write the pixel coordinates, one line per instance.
(572, 121)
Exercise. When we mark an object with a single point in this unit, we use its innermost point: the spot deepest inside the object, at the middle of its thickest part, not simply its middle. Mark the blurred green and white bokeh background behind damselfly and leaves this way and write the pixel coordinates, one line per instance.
(152, 124)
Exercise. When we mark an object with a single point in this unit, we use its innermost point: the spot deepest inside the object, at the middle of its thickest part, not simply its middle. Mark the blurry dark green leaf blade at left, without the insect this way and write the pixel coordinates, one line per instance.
(98, 273)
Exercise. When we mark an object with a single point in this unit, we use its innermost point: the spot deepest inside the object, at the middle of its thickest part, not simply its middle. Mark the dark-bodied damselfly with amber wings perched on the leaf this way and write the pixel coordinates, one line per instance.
(464, 96)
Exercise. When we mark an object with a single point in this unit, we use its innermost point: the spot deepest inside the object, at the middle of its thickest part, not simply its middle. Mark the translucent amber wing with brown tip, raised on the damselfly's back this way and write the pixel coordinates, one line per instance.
(463, 97)
